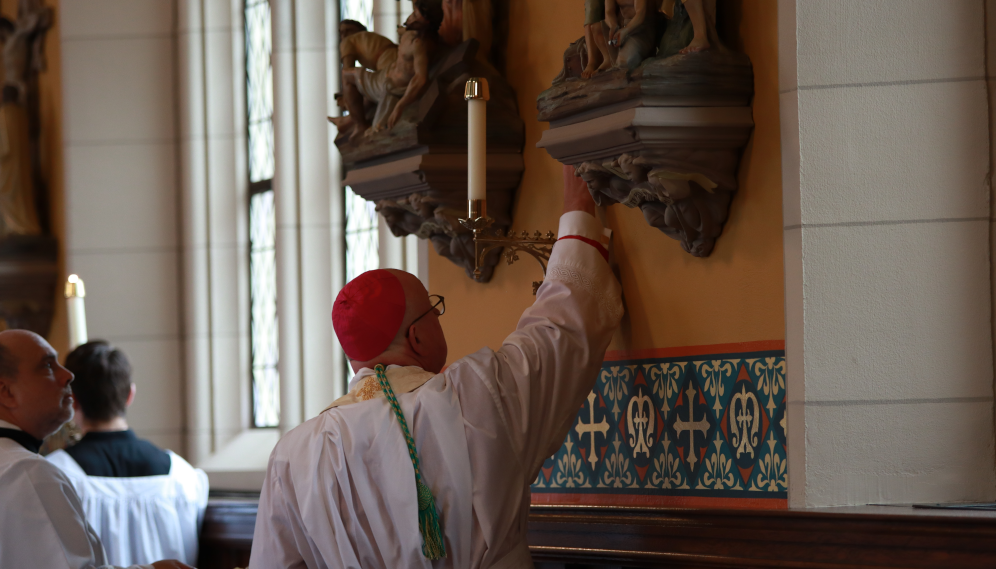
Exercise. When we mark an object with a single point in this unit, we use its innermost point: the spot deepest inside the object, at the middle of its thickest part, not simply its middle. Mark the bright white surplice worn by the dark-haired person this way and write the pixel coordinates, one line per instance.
(143, 519)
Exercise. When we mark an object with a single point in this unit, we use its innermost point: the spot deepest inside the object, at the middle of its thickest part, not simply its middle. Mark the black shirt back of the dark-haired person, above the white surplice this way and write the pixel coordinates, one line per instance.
(119, 454)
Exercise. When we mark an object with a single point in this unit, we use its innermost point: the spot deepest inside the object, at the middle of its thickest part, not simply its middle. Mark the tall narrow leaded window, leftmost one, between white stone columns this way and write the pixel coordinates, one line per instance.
(262, 217)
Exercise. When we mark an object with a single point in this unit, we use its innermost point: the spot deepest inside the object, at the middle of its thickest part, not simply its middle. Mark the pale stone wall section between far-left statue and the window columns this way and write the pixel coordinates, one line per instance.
(122, 196)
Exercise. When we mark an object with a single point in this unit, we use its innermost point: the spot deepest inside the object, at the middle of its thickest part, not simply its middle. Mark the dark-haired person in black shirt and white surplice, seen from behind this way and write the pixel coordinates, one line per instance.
(131, 490)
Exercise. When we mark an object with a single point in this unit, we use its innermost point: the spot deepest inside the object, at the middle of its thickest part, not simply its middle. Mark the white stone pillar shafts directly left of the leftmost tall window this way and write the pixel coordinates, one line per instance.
(214, 221)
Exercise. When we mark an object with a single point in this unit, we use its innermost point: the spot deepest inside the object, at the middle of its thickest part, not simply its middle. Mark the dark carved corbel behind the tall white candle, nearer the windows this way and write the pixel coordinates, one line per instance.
(416, 173)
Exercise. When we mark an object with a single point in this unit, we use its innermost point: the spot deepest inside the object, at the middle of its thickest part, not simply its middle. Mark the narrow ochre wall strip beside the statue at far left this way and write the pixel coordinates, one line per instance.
(50, 92)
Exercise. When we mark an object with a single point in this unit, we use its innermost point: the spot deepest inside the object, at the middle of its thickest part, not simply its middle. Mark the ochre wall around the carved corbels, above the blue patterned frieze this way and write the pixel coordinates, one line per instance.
(672, 299)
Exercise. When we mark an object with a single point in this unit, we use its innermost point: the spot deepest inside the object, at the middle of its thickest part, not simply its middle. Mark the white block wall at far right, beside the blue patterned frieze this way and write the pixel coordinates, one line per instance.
(885, 169)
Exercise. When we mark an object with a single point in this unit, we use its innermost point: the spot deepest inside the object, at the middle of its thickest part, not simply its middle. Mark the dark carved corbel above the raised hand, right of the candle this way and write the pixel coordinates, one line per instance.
(666, 139)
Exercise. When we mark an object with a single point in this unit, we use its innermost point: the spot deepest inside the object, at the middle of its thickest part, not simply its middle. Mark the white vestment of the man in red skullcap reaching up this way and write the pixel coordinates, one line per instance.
(340, 488)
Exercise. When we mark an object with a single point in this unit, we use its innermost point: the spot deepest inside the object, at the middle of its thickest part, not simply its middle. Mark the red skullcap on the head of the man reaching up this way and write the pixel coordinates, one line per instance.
(368, 313)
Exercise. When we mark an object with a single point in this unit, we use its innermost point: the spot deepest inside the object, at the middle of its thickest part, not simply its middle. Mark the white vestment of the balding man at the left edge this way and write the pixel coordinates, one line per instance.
(42, 523)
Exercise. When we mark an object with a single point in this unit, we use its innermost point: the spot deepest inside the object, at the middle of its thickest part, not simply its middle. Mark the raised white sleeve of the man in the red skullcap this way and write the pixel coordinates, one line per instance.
(549, 364)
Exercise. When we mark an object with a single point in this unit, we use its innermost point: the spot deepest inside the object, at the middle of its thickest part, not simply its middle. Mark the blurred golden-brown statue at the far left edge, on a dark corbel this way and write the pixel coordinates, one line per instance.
(23, 41)
